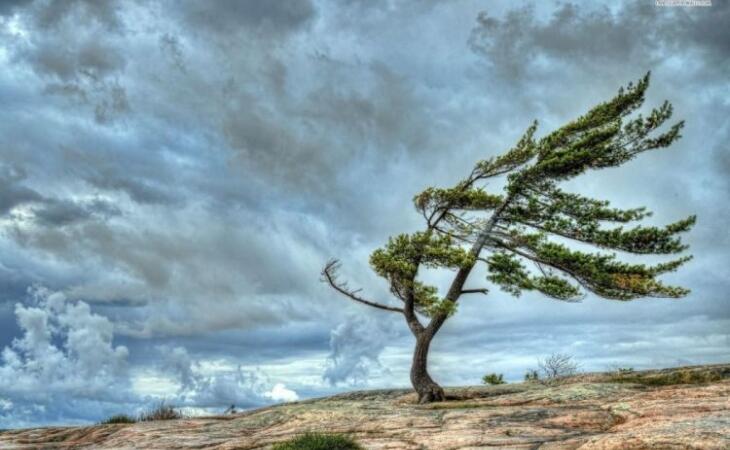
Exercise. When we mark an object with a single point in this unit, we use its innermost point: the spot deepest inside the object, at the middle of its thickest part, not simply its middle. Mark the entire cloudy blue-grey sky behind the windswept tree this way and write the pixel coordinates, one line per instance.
(174, 175)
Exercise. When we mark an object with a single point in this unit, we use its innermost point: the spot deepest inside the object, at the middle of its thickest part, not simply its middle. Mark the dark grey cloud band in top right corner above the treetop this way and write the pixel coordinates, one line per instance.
(600, 37)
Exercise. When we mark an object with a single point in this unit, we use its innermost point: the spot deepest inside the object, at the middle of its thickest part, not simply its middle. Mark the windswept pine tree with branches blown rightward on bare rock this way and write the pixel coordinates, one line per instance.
(531, 221)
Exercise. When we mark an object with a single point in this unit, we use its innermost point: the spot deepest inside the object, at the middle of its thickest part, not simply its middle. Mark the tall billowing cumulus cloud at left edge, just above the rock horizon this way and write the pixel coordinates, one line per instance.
(64, 359)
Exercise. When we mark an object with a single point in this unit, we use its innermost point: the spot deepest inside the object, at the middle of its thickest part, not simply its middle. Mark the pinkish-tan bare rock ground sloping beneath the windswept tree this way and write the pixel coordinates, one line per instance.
(687, 408)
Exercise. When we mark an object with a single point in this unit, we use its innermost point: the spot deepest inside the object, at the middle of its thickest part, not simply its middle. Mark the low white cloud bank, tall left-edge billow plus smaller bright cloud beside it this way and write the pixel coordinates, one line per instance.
(65, 368)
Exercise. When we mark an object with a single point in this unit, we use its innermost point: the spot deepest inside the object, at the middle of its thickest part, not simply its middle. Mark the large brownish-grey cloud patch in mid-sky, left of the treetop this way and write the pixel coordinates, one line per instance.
(378, 113)
